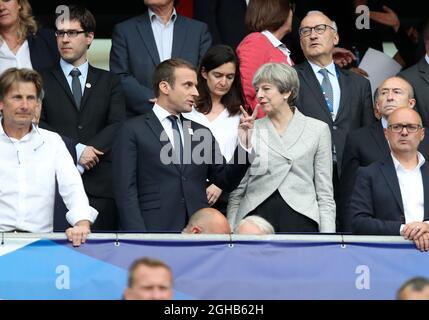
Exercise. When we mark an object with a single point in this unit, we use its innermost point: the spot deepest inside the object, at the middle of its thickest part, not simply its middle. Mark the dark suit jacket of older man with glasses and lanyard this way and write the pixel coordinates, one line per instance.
(355, 108)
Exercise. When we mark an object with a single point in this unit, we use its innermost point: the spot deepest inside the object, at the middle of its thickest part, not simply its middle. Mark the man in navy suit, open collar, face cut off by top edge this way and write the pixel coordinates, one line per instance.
(141, 43)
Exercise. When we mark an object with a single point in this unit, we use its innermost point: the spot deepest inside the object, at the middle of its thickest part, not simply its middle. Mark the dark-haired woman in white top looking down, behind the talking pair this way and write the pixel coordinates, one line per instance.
(218, 105)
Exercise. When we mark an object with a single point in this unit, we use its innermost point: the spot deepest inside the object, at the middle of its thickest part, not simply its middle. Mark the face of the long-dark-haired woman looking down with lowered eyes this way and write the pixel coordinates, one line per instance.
(220, 79)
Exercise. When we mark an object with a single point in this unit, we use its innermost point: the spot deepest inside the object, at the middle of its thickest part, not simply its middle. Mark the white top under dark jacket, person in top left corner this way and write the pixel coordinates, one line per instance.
(10, 60)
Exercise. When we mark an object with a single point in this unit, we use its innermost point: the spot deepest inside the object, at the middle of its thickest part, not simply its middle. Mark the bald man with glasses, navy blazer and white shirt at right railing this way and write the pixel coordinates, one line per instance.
(391, 196)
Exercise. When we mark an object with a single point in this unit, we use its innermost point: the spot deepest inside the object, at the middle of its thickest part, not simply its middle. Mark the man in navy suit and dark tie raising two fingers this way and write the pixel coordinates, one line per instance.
(161, 162)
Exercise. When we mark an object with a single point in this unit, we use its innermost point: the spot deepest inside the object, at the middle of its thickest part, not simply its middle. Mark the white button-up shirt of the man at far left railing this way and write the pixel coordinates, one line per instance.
(29, 168)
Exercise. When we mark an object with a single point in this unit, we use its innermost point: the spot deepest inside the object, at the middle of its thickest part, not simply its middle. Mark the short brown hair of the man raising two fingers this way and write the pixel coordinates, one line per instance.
(165, 72)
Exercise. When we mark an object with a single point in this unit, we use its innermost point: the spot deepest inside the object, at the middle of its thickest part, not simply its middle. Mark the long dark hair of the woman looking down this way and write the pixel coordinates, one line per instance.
(214, 58)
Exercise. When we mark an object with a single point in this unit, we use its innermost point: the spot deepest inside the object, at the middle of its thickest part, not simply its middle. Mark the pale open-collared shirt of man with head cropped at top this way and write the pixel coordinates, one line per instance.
(163, 34)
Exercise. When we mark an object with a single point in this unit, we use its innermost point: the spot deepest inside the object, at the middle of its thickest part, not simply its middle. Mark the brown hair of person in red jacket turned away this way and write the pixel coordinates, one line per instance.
(266, 15)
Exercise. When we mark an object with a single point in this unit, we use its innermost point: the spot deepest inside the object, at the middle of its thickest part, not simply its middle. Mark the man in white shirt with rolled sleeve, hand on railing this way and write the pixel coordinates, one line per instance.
(32, 160)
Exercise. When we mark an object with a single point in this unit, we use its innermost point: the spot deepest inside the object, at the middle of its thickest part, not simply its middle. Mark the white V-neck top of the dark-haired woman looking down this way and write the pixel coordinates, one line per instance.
(224, 128)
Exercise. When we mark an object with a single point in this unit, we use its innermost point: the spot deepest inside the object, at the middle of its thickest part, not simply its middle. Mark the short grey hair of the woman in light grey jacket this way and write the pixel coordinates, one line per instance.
(282, 76)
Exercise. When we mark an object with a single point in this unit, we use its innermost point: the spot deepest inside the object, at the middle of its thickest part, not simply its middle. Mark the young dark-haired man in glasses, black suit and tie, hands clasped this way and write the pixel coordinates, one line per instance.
(85, 104)
